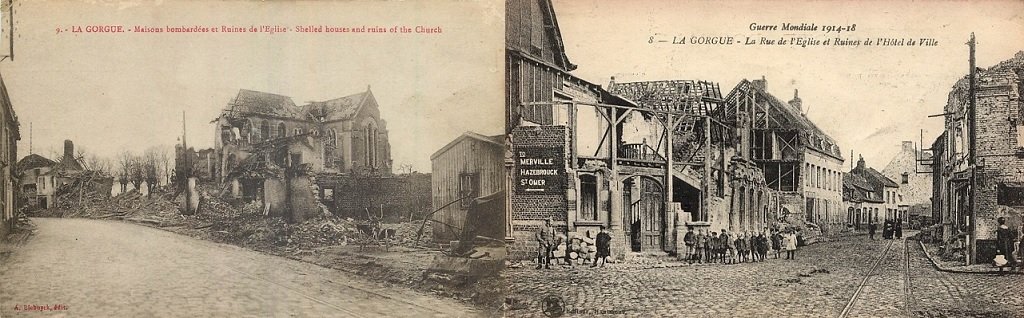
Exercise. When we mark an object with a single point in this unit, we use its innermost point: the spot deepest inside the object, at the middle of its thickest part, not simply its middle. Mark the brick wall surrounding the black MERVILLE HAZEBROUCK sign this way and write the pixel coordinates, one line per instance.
(530, 211)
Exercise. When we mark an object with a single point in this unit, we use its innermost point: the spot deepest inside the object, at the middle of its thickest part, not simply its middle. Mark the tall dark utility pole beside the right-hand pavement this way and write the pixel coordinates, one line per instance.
(973, 154)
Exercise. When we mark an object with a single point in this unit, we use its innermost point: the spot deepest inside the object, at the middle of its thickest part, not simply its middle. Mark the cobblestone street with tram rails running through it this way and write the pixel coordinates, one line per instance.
(820, 284)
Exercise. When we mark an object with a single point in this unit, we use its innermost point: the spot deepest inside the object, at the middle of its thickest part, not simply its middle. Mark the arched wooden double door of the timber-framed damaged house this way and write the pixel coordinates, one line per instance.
(645, 201)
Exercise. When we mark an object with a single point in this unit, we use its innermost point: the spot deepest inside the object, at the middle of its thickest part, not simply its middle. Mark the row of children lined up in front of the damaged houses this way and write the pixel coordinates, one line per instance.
(742, 248)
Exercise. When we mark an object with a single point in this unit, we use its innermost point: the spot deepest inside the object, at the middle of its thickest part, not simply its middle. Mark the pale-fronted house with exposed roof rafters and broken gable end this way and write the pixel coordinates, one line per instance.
(798, 159)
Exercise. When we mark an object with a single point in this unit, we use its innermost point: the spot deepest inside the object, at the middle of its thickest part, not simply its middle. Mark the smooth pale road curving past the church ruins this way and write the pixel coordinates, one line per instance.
(90, 268)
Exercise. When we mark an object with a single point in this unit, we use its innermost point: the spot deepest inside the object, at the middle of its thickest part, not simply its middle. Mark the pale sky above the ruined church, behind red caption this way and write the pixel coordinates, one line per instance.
(111, 93)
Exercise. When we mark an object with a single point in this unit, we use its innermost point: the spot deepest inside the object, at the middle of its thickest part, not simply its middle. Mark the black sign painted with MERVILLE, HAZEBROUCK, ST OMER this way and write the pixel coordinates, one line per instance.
(540, 170)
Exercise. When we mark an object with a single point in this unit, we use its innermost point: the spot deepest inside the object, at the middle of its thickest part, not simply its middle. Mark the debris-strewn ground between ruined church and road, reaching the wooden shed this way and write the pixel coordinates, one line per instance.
(248, 225)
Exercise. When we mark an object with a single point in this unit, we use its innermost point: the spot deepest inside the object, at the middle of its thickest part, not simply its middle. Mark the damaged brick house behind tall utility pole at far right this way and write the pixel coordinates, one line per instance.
(994, 158)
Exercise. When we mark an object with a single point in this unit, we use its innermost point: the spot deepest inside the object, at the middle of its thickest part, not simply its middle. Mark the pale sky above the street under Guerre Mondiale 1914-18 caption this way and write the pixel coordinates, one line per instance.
(868, 99)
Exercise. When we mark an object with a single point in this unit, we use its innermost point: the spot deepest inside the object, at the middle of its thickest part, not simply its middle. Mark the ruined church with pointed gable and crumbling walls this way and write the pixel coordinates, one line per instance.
(295, 158)
